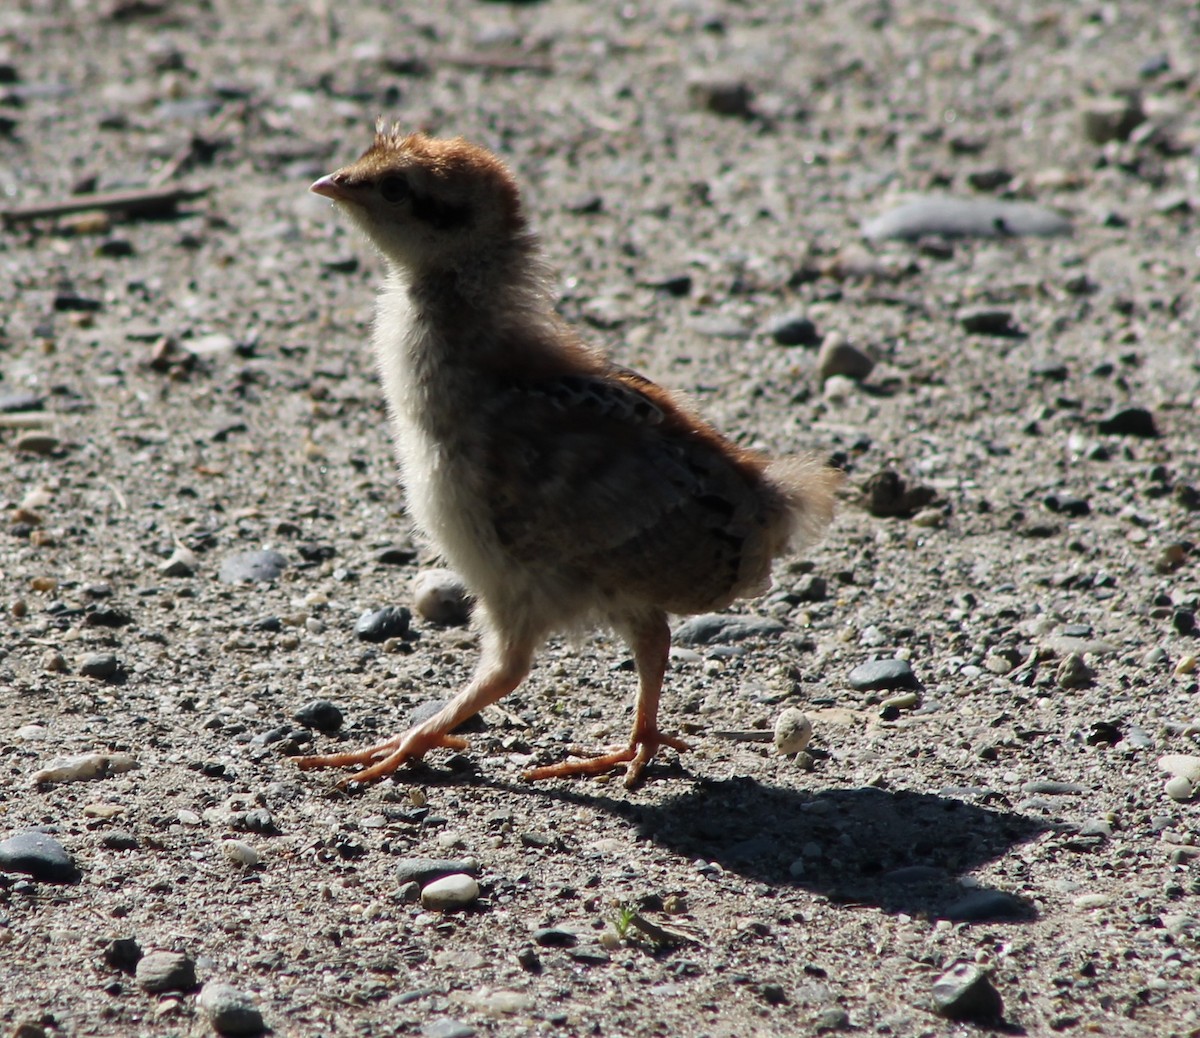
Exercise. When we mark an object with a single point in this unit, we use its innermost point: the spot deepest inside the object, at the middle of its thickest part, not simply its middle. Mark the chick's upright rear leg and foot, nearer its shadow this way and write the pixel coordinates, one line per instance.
(652, 646)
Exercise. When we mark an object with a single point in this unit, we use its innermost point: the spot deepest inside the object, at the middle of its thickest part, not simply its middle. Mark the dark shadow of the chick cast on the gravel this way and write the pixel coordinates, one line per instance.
(899, 851)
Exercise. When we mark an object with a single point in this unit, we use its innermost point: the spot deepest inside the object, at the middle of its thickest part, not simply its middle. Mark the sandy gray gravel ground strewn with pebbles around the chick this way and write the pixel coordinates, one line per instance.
(1018, 416)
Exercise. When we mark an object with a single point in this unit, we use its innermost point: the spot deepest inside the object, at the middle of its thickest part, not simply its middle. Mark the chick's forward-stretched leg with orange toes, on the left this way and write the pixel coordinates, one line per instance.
(501, 670)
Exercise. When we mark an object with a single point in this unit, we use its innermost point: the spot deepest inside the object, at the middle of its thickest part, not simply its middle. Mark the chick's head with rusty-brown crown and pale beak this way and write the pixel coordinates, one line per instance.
(428, 203)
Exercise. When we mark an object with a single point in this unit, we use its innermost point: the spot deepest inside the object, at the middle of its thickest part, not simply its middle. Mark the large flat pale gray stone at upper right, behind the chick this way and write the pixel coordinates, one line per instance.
(965, 218)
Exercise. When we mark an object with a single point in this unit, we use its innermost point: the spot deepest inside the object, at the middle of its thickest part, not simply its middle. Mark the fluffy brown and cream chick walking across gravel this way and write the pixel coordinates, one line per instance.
(568, 491)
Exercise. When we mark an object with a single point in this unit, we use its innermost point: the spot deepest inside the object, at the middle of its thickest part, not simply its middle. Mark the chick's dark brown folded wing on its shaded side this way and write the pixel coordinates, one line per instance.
(608, 477)
